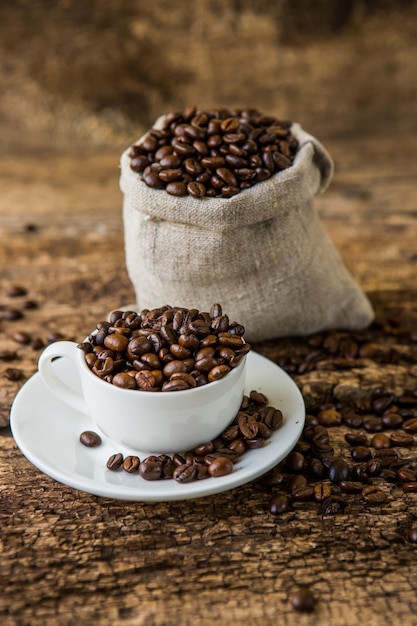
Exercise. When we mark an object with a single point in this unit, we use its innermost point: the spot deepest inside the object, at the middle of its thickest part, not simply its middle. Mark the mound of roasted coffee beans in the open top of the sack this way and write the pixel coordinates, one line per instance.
(213, 153)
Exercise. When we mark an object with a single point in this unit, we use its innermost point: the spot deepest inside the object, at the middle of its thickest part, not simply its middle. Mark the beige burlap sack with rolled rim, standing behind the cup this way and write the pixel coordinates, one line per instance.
(262, 254)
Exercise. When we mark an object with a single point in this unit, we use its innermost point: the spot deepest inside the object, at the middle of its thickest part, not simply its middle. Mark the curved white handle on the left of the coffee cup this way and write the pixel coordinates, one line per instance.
(66, 349)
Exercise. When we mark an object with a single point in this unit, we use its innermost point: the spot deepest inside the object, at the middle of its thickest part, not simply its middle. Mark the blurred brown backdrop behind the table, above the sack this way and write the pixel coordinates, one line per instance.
(93, 75)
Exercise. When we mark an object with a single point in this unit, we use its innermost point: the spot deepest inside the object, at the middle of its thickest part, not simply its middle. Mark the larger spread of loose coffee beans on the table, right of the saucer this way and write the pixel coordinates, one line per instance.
(366, 466)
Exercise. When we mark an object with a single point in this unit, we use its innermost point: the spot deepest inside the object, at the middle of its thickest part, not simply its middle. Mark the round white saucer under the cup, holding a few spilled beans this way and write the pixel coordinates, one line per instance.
(47, 432)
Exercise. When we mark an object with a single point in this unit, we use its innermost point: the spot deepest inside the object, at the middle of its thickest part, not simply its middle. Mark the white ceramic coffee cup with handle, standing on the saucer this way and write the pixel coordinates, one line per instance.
(151, 422)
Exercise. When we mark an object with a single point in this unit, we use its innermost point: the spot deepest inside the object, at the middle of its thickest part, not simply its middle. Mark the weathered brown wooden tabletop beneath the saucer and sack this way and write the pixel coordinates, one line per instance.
(68, 557)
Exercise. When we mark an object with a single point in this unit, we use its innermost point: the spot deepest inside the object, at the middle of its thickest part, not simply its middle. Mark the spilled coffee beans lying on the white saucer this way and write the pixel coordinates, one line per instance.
(254, 423)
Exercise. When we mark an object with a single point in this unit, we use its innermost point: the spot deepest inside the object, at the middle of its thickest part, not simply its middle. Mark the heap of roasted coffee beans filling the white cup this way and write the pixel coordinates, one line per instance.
(165, 349)
